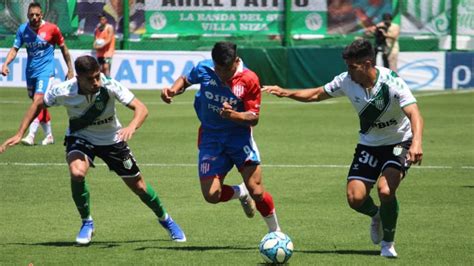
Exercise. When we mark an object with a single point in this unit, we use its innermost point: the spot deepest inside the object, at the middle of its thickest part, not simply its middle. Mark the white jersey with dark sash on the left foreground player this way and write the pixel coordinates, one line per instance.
(105, 125)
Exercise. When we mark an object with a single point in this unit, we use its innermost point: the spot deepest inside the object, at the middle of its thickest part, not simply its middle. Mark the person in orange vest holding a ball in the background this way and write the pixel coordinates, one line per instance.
(104, 44)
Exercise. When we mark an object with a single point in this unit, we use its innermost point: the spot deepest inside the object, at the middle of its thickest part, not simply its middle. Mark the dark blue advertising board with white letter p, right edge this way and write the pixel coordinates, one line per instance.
(459, 70)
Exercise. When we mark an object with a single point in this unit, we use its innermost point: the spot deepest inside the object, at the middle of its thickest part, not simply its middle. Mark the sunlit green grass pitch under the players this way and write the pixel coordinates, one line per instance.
(305, 149)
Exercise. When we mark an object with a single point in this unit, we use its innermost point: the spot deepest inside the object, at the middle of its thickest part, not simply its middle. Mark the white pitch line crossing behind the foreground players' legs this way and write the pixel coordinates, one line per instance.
(263, 165)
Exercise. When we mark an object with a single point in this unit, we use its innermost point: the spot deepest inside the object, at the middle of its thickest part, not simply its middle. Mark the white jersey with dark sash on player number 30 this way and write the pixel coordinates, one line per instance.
(382, 120)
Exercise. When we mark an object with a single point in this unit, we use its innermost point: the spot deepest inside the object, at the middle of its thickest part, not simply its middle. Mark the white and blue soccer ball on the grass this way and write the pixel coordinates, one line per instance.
(276, 247)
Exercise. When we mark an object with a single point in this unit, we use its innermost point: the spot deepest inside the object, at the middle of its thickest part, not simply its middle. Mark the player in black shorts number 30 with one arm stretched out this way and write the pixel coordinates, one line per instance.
(391, 129)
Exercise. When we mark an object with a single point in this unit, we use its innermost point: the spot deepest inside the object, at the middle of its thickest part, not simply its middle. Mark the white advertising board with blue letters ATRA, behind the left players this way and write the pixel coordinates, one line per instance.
(134, 69)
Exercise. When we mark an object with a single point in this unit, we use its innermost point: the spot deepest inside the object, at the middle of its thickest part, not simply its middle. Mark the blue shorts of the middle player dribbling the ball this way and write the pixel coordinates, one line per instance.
(219, 152)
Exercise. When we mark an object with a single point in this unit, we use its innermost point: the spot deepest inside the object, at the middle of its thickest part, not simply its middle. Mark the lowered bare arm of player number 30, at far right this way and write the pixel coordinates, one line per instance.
(415, 153)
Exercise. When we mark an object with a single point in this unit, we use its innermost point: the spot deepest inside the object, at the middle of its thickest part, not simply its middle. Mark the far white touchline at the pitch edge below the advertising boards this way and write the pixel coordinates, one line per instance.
(278, 102)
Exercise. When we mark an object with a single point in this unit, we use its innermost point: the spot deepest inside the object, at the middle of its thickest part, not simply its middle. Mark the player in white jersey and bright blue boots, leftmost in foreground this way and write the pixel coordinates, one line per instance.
(94, 130)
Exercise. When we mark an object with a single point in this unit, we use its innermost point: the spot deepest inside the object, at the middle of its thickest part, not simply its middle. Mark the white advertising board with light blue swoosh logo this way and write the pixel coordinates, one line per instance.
(422, 71)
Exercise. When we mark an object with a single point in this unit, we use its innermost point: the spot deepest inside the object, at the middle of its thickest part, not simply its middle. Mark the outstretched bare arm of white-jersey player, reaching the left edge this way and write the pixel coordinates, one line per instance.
(35, 108)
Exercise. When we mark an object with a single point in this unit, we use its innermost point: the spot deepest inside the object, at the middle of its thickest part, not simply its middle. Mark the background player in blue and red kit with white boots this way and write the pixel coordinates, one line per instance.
(40, 38)
